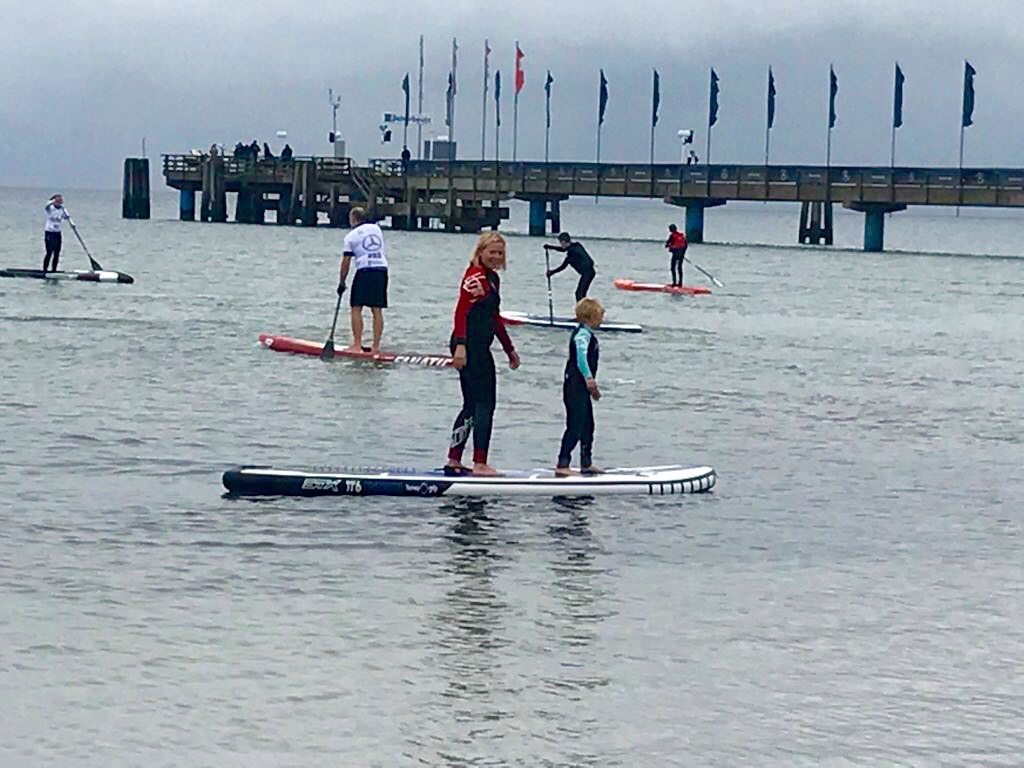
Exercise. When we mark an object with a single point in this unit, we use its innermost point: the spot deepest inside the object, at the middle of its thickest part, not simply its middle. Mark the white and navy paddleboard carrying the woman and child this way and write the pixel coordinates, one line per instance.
(253, 481)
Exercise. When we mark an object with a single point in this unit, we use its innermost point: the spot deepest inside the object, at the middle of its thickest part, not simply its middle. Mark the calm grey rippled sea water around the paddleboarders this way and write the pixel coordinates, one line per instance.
(851, 593)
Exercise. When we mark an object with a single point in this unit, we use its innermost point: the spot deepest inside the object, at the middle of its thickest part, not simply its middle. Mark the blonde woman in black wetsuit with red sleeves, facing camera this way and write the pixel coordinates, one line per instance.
(478, 322)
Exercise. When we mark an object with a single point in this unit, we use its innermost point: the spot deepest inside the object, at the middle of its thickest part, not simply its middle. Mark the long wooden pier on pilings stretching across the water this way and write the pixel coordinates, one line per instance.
(471, 196)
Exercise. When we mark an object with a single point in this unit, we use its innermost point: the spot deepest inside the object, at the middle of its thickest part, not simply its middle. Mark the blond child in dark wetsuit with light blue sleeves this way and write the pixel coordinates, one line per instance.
(580, 390)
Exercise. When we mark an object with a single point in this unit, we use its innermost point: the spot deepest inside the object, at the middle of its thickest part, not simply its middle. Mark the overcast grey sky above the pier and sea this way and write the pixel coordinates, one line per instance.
(83, 81)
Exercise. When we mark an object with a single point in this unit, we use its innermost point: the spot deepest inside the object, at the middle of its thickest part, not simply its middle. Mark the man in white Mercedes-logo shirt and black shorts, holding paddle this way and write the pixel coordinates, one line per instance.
(365, 244)
